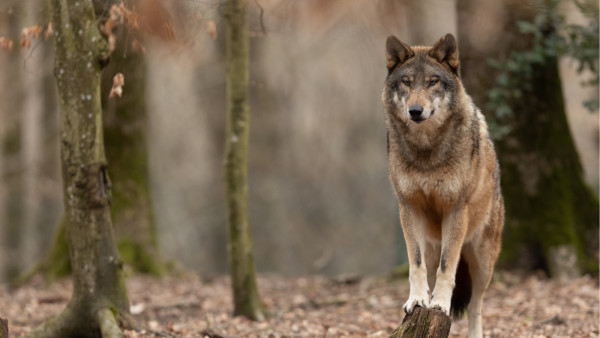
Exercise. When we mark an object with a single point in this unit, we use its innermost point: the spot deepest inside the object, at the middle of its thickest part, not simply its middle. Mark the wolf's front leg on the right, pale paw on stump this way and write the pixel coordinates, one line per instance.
(454, 230)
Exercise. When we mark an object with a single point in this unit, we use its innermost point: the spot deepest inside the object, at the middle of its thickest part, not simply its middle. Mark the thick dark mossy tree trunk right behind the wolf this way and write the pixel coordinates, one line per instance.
(552, 214)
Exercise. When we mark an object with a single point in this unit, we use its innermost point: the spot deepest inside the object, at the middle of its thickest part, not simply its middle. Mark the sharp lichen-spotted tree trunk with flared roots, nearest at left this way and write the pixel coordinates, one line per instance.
(99, 302)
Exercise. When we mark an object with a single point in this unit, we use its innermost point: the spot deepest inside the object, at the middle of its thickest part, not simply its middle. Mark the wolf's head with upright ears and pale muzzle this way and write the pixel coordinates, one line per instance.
(422, 82)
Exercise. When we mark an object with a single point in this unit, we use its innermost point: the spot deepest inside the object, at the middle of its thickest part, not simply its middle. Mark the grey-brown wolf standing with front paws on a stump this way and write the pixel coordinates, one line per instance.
(444, 170)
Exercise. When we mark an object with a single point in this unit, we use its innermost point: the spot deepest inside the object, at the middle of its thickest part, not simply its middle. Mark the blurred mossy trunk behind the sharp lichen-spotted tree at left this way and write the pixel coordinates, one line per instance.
(125, 126)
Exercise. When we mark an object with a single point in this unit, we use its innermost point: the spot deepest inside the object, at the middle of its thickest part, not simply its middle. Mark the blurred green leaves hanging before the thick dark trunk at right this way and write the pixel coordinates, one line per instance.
(552, 39)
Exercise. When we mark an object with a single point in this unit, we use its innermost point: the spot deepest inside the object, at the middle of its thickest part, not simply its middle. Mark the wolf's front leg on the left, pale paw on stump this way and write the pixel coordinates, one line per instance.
(414, 235)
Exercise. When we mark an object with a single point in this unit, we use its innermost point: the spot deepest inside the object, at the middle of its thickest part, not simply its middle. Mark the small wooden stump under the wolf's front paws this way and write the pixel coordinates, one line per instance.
(424, 323)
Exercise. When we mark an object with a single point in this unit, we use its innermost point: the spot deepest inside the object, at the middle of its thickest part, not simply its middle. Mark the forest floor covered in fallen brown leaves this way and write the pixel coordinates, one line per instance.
(316, 306)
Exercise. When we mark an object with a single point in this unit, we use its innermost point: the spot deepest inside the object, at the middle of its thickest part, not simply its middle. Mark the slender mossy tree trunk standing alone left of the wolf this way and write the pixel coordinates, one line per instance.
(241, 259)
